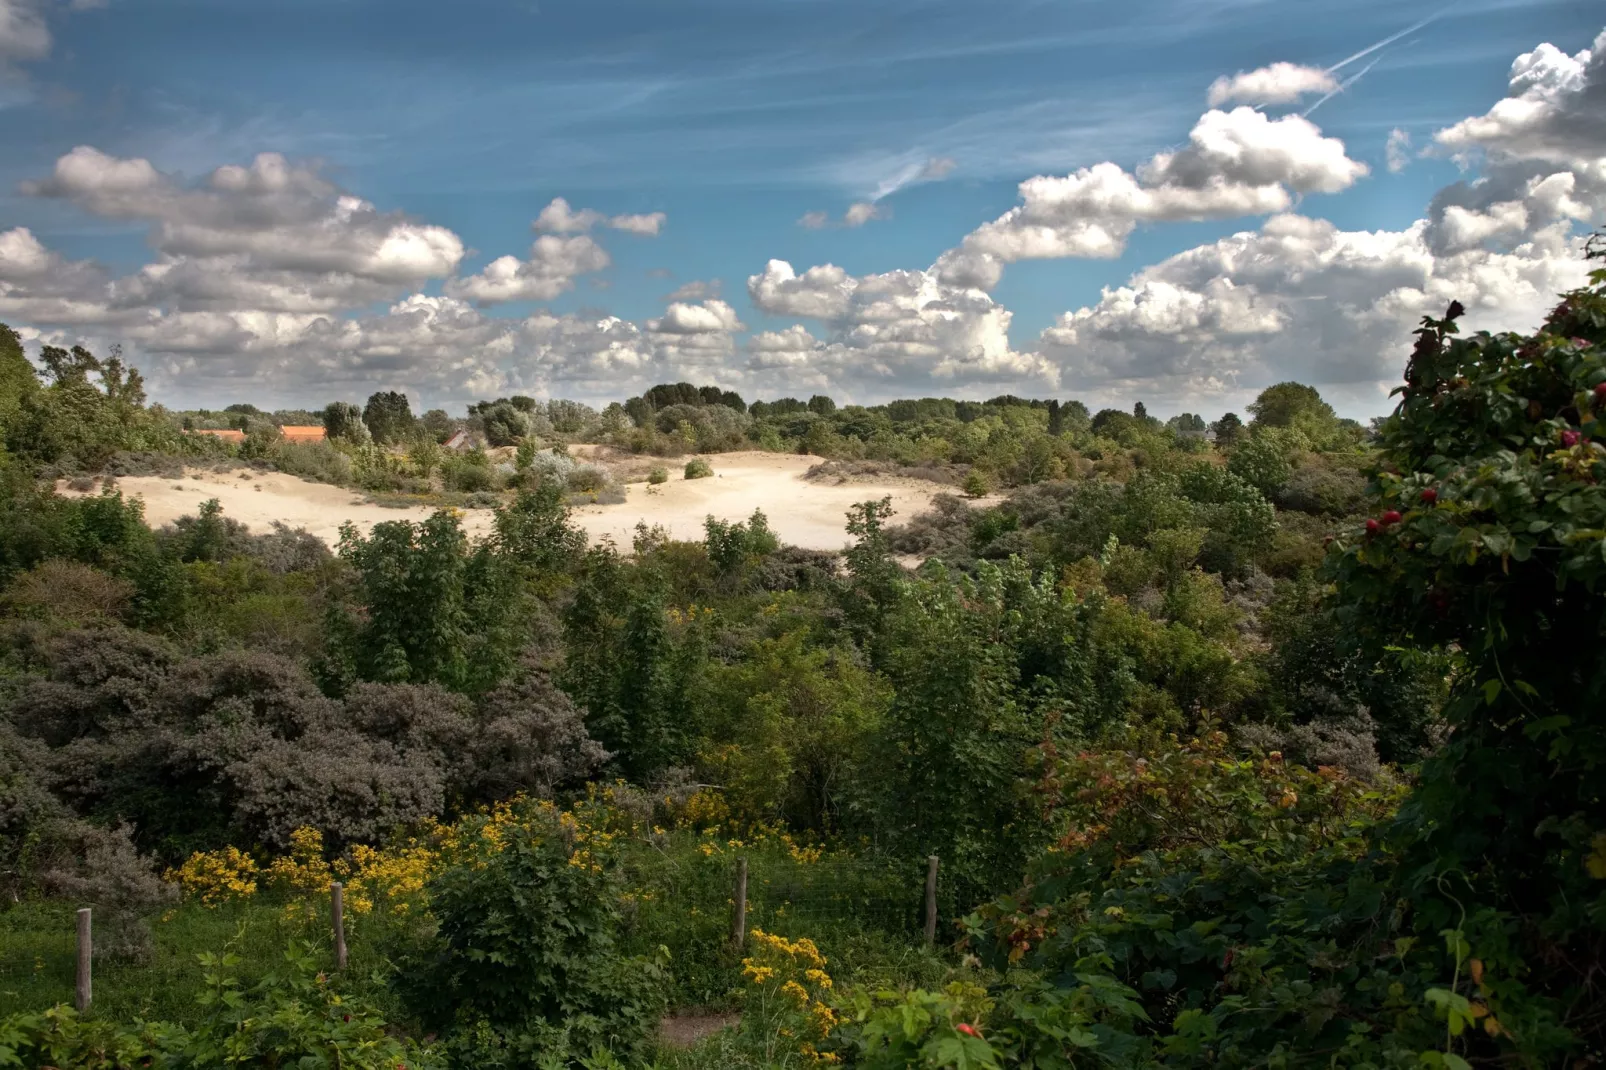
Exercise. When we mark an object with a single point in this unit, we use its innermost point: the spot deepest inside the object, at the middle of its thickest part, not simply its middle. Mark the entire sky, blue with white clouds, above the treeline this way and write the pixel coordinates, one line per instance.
(1173, 202)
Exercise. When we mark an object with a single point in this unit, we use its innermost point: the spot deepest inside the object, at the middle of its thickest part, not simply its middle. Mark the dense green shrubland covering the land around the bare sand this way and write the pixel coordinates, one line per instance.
(1239, 743)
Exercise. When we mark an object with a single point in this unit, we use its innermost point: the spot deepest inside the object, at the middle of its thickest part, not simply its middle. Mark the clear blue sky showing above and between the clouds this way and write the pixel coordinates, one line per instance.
(735, 120)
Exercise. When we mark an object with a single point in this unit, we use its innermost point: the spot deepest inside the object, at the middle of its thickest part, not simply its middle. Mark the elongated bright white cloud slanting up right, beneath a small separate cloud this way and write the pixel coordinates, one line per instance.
(1239, 163)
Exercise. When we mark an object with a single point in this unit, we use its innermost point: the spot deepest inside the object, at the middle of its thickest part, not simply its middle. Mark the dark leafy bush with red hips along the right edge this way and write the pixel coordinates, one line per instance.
(1490, 537)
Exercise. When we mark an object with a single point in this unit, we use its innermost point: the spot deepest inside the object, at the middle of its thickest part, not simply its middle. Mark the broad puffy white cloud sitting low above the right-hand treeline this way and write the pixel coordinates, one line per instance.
(1300, 300)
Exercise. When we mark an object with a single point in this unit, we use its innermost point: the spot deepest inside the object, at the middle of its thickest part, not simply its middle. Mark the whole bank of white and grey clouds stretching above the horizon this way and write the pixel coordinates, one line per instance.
(269, 277)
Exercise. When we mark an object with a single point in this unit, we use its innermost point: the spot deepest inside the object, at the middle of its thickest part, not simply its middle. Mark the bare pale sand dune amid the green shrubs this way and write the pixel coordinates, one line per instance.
(802, 513)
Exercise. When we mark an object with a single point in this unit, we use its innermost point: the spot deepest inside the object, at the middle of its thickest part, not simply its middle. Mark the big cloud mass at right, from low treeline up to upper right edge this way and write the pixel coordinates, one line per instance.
(1302, 298)
